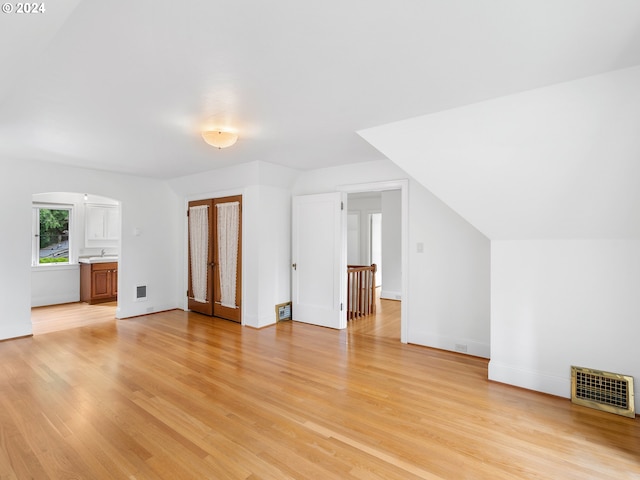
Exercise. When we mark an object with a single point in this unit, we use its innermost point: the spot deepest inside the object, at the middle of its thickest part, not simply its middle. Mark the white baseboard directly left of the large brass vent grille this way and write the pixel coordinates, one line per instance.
(531, 380)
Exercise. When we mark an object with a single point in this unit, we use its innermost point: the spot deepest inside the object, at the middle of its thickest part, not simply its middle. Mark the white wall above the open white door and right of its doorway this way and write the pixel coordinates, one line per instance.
(449, 283)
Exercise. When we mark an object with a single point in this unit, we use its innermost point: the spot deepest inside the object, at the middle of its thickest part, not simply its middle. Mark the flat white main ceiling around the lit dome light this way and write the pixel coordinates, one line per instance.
(126, 85)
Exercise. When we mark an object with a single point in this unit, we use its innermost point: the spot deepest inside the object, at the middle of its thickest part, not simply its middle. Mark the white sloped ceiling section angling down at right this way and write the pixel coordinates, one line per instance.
(555, 162)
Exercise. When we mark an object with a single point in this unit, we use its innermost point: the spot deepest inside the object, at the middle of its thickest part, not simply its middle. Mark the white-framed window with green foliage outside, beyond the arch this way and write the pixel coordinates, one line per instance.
(51, 227)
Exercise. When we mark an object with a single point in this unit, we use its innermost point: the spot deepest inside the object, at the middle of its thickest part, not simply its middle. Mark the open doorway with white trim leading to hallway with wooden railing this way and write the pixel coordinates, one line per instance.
(376, 233)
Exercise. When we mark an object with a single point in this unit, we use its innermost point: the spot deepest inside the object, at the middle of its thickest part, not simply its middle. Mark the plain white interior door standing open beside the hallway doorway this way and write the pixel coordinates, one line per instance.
(319, 255)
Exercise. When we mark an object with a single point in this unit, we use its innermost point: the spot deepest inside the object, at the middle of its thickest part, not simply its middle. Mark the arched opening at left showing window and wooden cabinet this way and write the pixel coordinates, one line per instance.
(72, 231)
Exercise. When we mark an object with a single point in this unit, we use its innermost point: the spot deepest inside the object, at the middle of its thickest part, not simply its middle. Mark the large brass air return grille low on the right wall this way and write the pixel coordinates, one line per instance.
(610, 392)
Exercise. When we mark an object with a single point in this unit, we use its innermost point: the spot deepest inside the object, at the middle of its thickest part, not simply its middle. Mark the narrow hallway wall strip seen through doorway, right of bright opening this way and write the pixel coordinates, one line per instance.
(391, 203)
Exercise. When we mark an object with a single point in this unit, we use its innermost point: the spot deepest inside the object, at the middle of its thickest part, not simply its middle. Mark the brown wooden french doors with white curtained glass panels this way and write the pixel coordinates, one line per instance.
(215, 257)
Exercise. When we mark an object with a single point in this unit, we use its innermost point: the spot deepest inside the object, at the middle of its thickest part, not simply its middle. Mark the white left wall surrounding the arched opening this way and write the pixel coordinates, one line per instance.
(150, 258)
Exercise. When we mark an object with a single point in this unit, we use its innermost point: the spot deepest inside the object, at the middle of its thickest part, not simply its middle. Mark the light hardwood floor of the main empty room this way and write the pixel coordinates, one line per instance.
(177, 395)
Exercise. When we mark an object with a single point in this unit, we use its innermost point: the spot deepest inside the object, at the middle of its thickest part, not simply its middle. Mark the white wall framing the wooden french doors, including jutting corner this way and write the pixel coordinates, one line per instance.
(266, 234)
